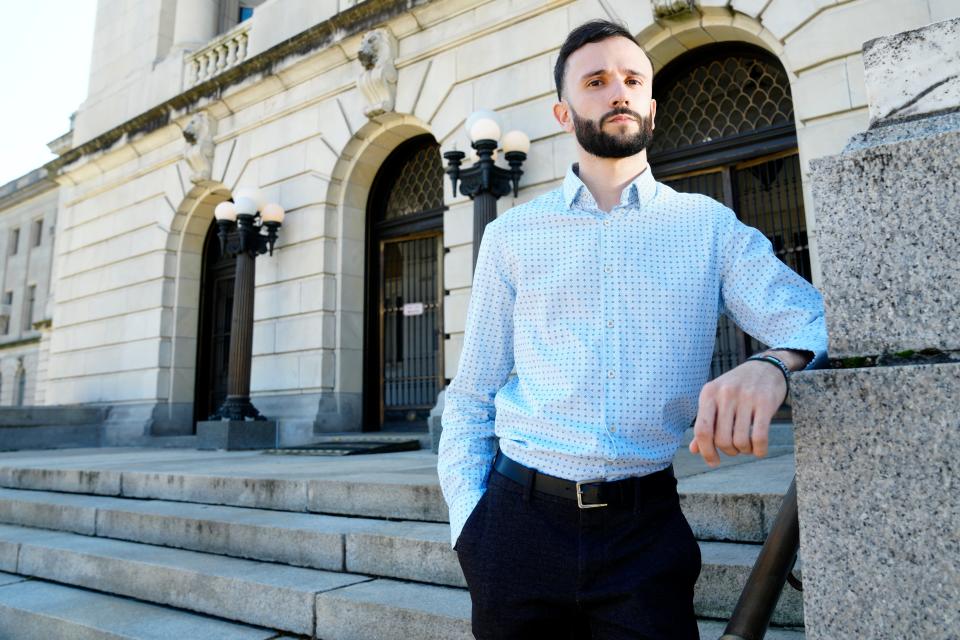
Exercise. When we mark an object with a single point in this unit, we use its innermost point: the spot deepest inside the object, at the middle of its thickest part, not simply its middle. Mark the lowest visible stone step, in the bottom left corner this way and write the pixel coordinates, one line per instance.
(38, 610)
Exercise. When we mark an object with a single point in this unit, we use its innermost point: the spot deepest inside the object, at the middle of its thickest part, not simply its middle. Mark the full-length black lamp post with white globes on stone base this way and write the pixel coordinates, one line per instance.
(237, 424)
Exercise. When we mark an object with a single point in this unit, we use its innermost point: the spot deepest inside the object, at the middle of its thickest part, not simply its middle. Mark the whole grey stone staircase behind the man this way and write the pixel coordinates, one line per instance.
(160, 543)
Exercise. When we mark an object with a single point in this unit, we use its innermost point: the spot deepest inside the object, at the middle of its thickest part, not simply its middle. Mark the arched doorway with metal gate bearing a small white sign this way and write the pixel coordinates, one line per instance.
(403, 333)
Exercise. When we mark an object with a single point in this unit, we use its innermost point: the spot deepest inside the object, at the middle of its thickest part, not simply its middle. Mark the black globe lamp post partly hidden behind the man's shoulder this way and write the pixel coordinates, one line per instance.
(484, 181)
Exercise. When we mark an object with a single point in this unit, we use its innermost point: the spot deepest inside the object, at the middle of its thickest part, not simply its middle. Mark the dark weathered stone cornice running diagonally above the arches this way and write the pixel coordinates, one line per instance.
(357, 19)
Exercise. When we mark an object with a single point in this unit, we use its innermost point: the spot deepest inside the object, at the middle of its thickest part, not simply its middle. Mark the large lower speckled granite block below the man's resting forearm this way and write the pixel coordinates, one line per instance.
(879, 508)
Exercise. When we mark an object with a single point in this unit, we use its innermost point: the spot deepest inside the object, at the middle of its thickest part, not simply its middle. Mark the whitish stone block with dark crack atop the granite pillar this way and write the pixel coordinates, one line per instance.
(913, 72)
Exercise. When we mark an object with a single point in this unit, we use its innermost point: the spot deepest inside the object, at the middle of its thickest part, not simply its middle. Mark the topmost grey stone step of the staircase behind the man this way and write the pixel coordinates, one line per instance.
(736, 502)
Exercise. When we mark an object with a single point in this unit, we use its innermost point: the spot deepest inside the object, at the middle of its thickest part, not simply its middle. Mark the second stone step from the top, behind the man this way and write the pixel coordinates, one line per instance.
(406, 550)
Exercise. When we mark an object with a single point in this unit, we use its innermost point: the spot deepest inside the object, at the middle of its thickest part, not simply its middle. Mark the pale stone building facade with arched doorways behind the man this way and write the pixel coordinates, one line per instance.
(338, 111)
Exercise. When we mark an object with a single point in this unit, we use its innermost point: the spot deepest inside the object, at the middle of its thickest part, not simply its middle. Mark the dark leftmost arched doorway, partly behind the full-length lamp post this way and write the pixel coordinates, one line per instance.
(213, 334)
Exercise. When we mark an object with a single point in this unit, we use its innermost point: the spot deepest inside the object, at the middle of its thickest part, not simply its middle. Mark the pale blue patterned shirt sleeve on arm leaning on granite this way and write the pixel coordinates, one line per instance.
(765, 297)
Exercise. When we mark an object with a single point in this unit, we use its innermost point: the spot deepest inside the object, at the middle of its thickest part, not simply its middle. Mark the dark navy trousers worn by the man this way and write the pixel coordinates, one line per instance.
(537, 566)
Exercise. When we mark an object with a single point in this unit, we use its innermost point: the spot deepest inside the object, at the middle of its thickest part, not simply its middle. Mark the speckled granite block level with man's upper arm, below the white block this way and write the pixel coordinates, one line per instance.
(888, 229)
